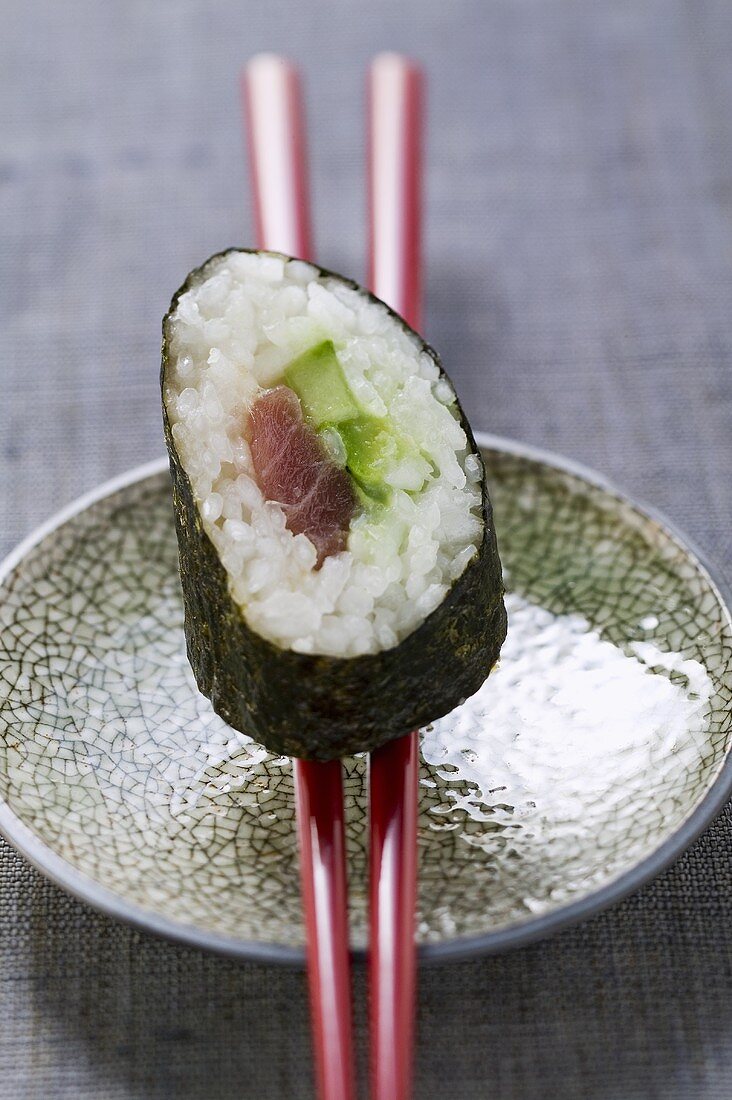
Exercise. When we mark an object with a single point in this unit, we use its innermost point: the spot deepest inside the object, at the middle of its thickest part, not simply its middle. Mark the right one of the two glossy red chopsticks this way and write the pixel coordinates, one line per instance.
(395, 108)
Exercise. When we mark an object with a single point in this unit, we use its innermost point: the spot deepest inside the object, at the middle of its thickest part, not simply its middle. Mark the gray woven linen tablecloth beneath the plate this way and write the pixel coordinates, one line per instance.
(580, 203)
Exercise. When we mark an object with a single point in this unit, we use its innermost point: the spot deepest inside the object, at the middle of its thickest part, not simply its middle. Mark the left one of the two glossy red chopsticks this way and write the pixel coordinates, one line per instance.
(278, 159)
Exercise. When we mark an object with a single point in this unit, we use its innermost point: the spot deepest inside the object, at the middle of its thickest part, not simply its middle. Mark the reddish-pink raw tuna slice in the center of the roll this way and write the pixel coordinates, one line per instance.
(294, 469)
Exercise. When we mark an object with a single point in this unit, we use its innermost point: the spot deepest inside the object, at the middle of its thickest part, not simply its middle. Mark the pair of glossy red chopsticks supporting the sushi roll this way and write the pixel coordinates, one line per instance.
(278, 159)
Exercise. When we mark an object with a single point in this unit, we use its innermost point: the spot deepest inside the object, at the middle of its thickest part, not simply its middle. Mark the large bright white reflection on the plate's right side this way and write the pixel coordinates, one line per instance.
(567, 733)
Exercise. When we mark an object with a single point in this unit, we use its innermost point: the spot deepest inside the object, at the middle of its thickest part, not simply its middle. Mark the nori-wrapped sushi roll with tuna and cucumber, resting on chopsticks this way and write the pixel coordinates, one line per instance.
(340, 565)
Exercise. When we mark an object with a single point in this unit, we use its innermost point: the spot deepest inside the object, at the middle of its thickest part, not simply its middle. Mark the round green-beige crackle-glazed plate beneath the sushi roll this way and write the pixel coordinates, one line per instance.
(592, 757)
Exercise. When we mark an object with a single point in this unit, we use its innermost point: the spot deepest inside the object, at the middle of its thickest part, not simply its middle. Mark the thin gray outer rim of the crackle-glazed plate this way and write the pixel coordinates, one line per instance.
(88, 890)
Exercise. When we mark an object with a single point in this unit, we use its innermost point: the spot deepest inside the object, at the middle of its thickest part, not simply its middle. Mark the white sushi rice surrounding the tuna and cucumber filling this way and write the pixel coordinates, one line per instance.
(233, 336)
